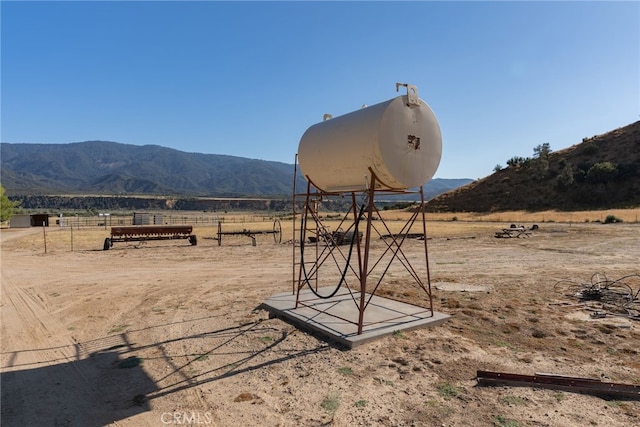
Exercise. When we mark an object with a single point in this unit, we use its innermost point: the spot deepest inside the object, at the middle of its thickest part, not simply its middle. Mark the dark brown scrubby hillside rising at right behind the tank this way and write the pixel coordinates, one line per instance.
(601, 172)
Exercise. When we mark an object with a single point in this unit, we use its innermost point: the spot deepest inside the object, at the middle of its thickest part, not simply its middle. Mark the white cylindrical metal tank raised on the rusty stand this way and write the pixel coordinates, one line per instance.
(399, 140)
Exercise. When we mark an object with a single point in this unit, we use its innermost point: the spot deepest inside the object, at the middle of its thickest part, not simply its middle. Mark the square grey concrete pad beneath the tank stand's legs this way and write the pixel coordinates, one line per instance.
(337, 317)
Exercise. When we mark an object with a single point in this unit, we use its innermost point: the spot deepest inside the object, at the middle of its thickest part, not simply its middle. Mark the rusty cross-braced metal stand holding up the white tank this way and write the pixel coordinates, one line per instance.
(357, 264)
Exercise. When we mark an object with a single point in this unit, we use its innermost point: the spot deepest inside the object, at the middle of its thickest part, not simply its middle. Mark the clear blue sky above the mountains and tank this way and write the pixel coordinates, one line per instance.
(248, 78)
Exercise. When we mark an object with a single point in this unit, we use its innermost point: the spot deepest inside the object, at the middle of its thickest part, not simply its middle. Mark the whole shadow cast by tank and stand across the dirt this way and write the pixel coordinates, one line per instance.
(107, 381)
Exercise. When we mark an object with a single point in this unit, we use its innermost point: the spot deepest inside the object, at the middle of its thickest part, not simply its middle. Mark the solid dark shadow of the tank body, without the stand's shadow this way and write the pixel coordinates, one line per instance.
(95, 391)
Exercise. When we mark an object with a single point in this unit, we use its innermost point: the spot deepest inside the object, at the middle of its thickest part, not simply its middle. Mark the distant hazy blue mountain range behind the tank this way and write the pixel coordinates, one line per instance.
(111, 168)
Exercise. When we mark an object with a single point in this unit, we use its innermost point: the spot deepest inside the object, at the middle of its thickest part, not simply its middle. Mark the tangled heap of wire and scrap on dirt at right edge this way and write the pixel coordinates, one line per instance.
(620, 297)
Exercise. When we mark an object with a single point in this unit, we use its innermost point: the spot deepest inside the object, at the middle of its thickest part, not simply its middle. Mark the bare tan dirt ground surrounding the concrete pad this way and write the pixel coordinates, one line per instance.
(164, 333)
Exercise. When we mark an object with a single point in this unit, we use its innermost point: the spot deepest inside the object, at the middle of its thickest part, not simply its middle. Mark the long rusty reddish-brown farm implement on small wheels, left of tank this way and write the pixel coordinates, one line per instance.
(150, 232)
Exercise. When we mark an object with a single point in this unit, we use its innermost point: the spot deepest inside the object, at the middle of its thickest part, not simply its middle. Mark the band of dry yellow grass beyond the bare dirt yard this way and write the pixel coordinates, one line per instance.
(438, 225)
